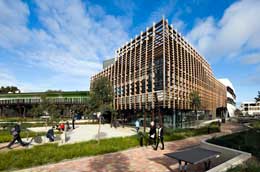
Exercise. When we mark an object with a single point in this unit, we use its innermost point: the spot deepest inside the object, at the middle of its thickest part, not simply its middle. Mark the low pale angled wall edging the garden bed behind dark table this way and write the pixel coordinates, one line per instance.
(230, 157)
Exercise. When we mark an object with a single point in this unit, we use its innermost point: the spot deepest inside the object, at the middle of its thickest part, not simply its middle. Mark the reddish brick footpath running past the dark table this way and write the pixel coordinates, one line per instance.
(134, 160)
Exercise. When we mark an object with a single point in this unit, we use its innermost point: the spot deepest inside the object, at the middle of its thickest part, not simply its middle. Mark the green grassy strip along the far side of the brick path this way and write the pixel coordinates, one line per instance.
(51, 153)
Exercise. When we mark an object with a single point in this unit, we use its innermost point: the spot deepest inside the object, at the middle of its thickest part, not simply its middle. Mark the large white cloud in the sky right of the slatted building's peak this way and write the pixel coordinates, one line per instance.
(237, 31)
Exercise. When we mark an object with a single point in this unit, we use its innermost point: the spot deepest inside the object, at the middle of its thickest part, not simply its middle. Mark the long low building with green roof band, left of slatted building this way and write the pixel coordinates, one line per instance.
(12, 102)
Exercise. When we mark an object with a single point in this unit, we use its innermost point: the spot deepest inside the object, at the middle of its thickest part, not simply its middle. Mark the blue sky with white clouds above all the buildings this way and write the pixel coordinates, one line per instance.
(60, 44)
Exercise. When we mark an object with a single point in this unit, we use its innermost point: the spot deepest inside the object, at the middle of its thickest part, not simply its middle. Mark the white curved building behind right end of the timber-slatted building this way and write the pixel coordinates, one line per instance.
(231, 97)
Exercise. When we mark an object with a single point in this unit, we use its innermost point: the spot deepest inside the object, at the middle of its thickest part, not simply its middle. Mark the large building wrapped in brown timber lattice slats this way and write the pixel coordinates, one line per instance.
(155, 73)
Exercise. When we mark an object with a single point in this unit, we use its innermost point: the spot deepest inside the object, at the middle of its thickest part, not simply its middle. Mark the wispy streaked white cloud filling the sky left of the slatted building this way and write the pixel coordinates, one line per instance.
(72, 41)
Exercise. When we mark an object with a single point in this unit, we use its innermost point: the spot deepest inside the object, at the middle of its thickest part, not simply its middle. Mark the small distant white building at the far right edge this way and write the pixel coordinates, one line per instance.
(250, 108)
